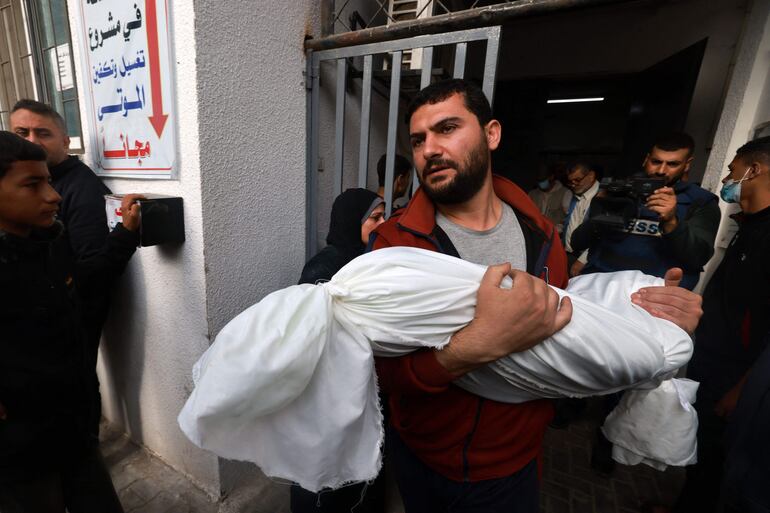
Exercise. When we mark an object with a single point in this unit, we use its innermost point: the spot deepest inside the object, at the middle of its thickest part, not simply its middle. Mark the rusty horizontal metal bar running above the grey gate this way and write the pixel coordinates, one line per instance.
(479, 17)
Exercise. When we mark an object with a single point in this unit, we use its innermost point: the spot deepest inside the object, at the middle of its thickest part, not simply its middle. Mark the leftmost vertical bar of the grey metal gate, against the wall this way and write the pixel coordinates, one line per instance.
(312, 170)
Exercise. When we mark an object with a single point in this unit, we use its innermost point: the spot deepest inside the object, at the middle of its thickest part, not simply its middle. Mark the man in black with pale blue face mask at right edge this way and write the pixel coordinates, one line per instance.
(732, 332)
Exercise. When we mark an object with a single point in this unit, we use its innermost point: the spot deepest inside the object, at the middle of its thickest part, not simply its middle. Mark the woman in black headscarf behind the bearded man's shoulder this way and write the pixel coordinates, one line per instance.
(355, 214)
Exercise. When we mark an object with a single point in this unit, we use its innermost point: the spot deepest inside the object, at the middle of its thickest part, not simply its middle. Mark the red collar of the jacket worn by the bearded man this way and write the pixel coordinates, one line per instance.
(420, 214)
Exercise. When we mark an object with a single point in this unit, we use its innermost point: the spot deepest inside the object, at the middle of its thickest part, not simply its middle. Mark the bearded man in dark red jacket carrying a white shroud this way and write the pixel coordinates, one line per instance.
(453, 450)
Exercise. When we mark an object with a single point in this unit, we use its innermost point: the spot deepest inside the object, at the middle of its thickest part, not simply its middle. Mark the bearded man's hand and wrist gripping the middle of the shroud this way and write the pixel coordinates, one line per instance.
(506, 321)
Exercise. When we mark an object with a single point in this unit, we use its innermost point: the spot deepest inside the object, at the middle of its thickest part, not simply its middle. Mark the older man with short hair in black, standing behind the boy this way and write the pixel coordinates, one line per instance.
(81, 209)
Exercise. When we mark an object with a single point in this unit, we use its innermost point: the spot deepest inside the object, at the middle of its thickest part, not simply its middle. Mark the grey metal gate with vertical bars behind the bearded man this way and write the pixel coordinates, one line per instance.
(396, 50)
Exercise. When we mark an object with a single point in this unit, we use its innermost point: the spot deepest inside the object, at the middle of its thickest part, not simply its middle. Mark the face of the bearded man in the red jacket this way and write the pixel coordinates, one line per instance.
(450, 150)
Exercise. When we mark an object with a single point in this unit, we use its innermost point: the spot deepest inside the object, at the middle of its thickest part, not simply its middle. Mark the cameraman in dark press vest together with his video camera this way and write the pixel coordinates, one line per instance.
(674, 226)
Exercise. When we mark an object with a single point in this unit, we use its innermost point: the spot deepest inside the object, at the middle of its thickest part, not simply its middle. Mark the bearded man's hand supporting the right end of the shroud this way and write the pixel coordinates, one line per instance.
(671, 302)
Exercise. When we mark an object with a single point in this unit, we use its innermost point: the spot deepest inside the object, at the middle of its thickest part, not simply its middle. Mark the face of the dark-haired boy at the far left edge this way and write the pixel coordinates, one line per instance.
(27, 199)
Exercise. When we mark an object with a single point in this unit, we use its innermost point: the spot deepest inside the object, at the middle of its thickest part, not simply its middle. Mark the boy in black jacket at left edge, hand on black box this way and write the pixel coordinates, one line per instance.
(49, 457)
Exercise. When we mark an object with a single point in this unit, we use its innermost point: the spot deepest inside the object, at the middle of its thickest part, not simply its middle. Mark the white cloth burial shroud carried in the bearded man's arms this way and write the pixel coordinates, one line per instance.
(289, 384)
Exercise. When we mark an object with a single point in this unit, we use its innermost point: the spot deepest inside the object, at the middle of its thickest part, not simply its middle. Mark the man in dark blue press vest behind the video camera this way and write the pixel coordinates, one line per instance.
(675, 226)
